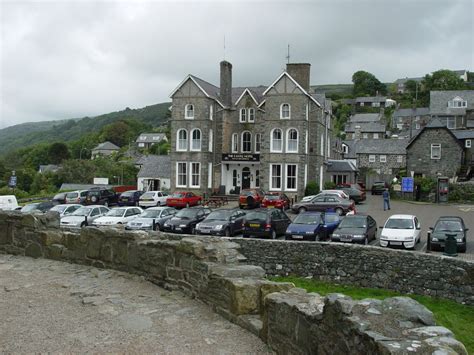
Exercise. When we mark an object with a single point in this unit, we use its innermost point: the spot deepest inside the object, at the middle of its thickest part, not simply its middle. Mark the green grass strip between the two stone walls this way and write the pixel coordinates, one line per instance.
(454, 316)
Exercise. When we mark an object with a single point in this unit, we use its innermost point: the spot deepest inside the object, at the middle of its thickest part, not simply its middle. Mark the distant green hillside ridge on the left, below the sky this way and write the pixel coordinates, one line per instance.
(28, 134)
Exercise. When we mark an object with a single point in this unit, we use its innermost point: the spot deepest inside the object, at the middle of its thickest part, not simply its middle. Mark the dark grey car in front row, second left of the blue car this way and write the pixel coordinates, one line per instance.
(226, 222)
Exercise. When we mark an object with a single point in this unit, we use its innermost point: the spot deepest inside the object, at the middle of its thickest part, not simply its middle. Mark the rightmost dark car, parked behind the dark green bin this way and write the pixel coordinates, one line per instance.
(448, 225)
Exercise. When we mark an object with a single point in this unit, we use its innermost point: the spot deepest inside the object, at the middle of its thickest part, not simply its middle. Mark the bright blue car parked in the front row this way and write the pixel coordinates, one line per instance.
(313, 226)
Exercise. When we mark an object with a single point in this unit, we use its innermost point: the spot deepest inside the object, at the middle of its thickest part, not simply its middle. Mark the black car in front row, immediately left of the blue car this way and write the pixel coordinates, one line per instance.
(264, 222)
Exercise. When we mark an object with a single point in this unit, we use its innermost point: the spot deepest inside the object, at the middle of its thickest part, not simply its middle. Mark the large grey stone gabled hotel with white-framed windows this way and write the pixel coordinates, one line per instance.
(275, 137)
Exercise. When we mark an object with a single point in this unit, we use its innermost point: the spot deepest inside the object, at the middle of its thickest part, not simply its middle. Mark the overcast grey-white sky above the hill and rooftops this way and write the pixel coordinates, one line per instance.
(68, 59)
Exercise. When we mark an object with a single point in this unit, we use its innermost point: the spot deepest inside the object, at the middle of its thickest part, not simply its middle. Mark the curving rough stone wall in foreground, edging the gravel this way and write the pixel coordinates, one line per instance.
(290, 320)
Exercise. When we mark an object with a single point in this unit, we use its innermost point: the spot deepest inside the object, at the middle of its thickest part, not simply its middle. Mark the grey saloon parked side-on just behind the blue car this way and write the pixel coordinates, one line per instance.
(325, 203)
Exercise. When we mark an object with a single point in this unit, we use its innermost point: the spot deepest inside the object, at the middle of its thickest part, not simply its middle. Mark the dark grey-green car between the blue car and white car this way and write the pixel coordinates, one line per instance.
(356, 229)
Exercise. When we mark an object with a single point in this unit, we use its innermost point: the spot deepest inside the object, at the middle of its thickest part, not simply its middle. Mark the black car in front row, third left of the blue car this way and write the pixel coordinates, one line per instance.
(185, 220)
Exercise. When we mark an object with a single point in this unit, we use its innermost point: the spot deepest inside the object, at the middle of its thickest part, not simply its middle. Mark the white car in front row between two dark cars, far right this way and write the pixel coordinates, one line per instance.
(401, 230)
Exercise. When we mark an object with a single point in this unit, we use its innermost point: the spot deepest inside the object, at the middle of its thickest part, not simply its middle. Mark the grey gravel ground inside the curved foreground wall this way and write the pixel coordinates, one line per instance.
(50, 306)
